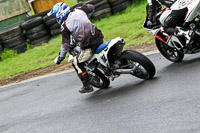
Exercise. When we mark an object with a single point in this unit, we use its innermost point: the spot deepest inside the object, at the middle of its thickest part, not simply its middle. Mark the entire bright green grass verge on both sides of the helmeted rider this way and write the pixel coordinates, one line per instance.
(127, 25)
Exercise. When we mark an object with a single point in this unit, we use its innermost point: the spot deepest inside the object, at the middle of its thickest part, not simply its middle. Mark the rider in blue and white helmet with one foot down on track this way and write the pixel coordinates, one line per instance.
(77, 24)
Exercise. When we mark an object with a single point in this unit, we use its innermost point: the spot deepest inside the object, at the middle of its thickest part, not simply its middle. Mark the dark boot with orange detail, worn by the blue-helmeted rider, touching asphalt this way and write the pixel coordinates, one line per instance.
(87, 87)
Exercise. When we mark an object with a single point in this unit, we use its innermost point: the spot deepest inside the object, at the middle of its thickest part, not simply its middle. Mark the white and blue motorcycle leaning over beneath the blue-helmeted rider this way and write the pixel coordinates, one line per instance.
(109, 62)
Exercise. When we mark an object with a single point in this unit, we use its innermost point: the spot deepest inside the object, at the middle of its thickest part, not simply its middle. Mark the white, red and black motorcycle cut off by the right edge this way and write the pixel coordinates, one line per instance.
(174, 47)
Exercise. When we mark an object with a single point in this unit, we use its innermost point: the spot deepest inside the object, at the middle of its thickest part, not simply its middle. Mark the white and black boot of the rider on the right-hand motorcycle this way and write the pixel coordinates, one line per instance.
(186, 33)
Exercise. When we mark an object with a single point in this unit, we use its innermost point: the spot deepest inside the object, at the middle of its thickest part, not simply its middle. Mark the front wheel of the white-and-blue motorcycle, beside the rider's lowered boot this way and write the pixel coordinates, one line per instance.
(98, 79)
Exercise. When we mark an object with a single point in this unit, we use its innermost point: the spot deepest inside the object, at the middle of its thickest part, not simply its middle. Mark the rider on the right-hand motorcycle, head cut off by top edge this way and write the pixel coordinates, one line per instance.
(170, 18)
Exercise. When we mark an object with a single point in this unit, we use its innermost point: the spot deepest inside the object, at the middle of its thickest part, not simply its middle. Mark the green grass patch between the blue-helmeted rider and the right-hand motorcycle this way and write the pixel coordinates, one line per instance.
(127, 25)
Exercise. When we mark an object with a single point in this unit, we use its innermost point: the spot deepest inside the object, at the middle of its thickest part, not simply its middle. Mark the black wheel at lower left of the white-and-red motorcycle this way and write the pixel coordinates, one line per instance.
(169, 53)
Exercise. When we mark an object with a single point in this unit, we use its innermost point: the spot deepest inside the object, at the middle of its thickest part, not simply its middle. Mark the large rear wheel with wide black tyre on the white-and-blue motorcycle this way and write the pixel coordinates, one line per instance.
(141, 66)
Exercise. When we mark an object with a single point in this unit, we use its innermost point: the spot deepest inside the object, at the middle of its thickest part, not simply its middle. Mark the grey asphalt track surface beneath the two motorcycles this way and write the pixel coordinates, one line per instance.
(169, 103)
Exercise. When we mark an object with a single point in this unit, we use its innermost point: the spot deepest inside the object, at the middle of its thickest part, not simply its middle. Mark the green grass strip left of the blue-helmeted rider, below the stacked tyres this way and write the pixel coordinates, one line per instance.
(34, 58)
